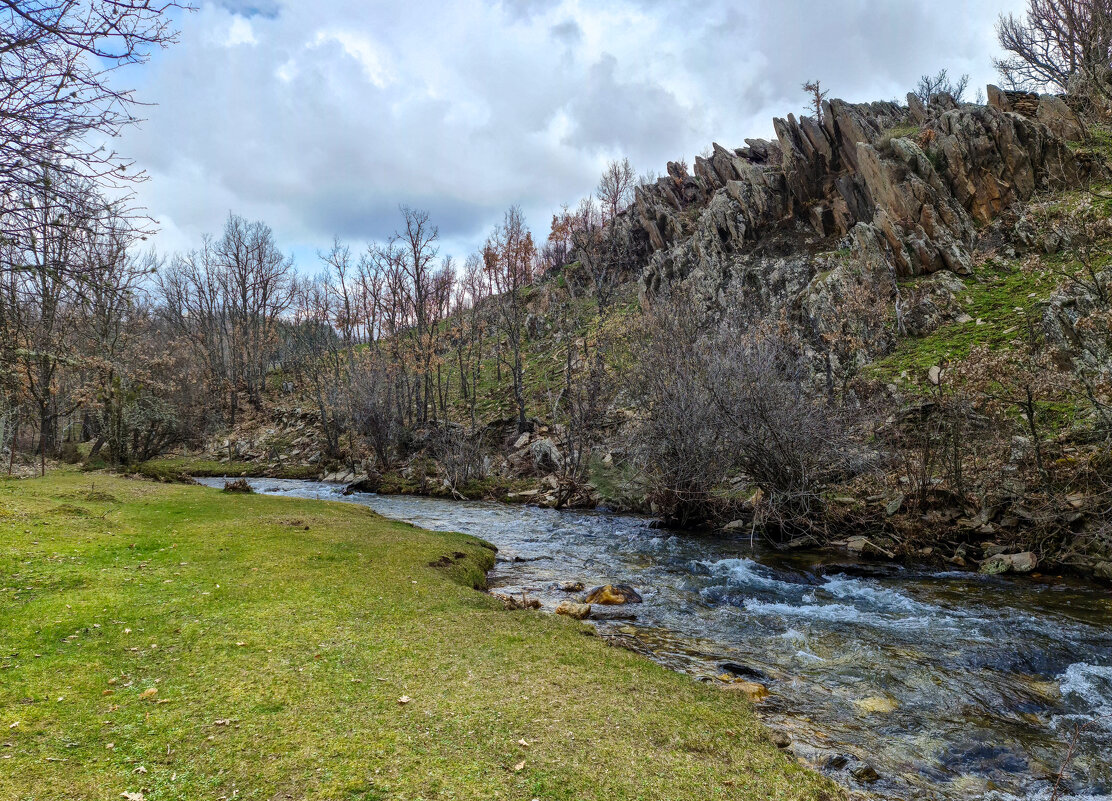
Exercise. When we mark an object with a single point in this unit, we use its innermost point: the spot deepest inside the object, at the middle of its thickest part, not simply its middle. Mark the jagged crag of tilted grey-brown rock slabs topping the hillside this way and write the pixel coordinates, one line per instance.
(905, 187)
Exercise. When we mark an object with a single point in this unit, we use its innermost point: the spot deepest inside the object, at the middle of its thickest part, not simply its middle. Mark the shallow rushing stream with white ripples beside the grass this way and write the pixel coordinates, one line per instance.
(950, 686)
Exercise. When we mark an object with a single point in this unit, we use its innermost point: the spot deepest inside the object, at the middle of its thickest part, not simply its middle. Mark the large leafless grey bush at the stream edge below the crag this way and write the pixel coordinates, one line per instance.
(732, 399)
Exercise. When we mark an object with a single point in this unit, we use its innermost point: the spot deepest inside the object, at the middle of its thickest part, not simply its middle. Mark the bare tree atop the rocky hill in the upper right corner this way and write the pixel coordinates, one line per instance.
(1057, 42)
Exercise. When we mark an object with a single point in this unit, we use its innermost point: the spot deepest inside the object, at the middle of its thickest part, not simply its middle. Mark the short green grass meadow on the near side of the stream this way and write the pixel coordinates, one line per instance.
(175, 642)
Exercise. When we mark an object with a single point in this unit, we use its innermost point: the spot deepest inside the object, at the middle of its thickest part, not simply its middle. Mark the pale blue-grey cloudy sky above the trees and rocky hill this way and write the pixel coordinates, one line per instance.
(322, 117)
